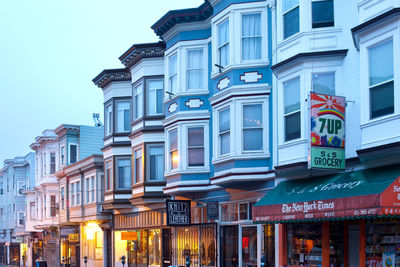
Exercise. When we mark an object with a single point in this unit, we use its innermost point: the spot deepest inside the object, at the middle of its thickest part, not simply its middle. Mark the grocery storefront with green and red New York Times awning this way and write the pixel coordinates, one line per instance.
(348, 219)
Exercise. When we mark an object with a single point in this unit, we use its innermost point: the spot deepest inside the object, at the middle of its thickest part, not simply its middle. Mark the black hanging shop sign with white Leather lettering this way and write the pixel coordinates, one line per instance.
(178, 212)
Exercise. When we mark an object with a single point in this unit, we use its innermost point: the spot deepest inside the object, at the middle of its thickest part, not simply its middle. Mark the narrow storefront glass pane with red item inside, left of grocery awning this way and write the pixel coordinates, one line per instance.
(249, 246)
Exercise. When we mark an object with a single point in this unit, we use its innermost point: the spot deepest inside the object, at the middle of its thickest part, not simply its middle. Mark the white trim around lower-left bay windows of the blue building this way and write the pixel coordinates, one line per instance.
(183, 165)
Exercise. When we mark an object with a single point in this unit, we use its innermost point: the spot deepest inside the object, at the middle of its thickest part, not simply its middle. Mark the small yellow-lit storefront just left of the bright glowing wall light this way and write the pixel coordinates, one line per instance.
(69, 246)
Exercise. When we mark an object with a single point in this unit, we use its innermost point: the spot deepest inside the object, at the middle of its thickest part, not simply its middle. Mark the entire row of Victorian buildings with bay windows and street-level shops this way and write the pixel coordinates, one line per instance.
(255, 133)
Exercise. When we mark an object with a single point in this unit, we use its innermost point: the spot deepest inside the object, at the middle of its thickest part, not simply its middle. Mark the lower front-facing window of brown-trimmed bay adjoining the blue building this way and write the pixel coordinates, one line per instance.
(155, 162)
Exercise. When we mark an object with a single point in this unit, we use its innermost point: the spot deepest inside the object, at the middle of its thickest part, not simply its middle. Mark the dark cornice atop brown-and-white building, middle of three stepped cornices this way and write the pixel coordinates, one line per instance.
(139, 51)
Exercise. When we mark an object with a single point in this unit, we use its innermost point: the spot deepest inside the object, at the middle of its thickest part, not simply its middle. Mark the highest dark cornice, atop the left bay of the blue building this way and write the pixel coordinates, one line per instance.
(173, 17)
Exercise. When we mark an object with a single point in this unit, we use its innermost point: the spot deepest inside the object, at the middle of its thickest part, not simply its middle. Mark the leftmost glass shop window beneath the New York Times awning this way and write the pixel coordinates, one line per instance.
(304, 244)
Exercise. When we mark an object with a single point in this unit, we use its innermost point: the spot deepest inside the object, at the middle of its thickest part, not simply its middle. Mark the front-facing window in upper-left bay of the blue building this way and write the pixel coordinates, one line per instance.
(195, 69)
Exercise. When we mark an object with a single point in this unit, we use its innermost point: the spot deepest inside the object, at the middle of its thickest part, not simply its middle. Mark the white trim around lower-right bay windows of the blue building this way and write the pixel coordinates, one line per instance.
(236, 133)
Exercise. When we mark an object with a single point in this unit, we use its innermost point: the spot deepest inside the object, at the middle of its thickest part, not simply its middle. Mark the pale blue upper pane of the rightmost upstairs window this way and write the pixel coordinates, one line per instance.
(381, 63)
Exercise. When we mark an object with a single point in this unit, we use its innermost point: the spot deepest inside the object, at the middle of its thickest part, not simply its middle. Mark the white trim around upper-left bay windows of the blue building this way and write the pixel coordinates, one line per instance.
(180, 49)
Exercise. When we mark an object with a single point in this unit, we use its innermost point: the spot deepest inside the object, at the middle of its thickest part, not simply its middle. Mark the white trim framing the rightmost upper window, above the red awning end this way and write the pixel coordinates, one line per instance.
(367, 42)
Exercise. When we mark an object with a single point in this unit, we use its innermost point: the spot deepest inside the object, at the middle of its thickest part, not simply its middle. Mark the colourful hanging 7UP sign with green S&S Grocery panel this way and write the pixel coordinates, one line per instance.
(327, 139)
